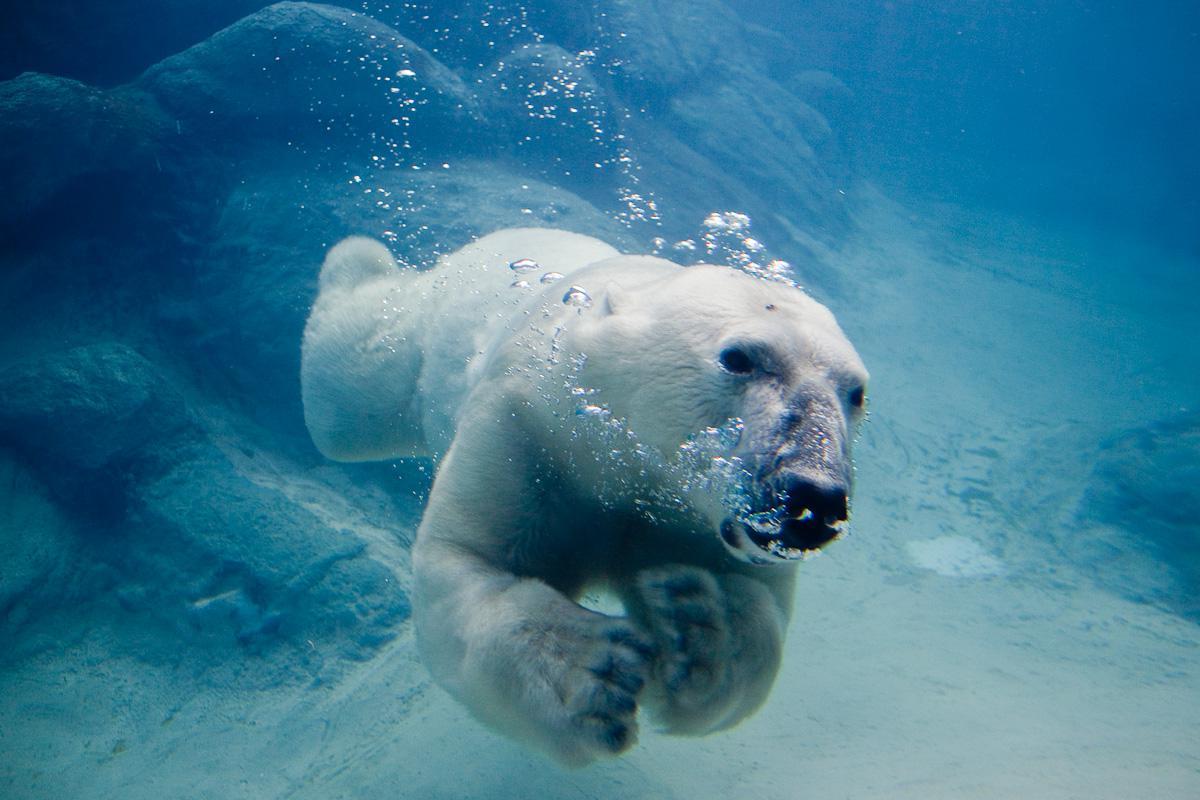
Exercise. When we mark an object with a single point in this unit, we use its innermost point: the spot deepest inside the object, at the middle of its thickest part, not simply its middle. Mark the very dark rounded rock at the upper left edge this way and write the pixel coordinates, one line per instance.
(55, 130)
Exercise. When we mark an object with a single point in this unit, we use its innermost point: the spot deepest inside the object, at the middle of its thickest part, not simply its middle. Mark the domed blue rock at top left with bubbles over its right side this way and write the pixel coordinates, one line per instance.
(298, 71)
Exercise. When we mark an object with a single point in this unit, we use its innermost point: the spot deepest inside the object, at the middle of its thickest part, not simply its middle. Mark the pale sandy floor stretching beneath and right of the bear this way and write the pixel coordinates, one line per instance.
(946, 649)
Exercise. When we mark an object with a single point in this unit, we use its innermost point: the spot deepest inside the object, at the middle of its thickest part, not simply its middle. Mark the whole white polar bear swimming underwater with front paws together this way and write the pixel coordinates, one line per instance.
(674, 437)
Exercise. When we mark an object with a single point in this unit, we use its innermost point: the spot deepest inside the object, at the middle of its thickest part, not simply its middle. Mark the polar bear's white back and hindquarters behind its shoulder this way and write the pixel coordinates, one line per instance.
(387, 351)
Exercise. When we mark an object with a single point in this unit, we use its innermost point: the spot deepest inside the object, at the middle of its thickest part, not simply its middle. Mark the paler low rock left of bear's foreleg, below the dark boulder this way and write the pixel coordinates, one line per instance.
(232, 554)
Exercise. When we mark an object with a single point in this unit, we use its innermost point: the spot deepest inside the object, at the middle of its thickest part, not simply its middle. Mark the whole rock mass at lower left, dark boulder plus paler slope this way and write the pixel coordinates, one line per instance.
(199, 531)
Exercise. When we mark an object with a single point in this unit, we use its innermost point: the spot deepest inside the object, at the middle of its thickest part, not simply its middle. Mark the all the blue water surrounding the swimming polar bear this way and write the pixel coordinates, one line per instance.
(999, 202)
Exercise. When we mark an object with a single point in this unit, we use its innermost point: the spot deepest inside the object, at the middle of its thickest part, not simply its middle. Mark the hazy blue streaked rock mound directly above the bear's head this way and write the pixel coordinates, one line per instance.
(783, 177)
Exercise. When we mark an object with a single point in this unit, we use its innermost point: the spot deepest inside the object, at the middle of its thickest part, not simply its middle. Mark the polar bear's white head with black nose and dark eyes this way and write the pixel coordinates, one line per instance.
(692, 350)
